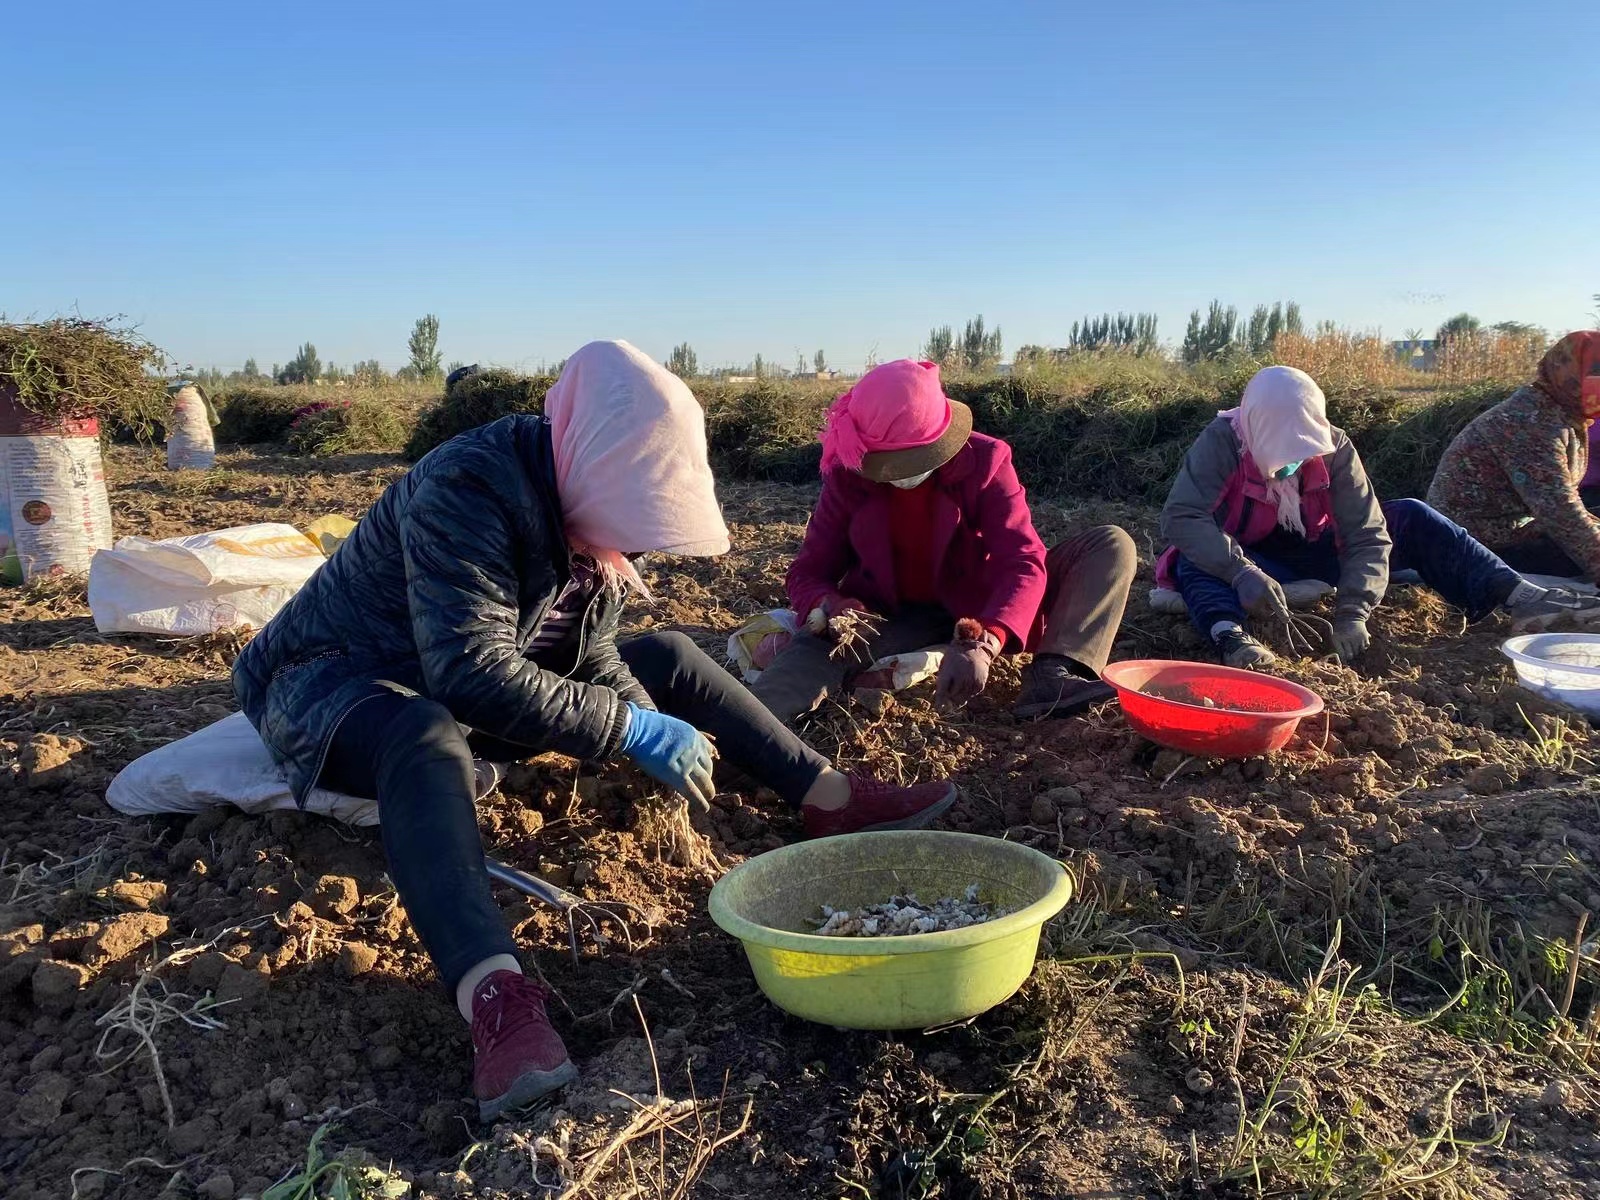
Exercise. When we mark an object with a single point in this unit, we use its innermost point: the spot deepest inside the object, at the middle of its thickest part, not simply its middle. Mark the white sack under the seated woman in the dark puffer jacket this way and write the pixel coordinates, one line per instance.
(223, 764)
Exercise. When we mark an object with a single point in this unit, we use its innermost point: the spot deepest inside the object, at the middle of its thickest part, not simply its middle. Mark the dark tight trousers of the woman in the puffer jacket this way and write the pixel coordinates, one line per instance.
(412, 756)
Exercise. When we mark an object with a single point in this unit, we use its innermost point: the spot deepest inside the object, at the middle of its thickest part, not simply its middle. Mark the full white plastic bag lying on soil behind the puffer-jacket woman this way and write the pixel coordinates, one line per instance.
(202, 583)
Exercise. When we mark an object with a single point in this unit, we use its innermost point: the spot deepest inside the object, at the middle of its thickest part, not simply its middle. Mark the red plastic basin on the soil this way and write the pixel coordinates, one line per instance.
(1167, 702)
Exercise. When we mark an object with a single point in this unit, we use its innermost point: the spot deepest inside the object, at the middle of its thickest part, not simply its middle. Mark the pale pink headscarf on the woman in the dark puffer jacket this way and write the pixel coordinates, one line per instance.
(631, 462)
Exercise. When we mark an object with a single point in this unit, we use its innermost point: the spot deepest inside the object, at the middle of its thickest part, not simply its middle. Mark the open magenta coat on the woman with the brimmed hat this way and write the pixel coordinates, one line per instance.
(988, 561)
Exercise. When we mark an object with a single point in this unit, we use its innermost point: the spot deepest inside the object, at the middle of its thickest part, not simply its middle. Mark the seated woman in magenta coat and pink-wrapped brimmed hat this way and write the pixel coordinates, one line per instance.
(924, 524)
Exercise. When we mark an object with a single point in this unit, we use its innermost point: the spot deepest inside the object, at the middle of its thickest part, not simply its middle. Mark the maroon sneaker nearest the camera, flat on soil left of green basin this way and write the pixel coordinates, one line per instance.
(518, 1055)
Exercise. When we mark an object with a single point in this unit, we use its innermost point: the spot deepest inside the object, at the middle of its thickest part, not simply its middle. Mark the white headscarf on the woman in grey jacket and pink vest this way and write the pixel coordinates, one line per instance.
(1281, 420)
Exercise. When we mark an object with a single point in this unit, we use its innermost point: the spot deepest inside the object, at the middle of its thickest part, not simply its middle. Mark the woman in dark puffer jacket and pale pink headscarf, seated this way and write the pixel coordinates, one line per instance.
(474, 612)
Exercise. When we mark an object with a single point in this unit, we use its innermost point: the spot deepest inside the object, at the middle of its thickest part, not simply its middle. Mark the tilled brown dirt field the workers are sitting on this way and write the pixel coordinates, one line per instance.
(1342, 972)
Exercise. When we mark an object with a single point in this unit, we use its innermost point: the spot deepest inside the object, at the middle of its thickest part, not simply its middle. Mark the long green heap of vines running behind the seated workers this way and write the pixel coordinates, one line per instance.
(1108, 426)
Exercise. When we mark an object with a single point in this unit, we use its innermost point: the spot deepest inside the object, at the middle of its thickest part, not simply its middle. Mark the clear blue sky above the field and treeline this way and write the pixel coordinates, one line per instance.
(767, 178)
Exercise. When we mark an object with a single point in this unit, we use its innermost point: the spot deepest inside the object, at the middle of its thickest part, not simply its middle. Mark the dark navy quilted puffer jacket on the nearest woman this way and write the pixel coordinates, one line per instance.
(439, 593)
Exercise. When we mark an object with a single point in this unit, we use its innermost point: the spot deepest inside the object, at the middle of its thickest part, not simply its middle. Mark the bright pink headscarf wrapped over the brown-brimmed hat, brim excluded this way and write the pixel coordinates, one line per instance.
(894, 407)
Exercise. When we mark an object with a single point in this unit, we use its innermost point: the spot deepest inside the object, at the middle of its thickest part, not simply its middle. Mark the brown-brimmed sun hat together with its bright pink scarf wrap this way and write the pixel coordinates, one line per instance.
(895, 423)
